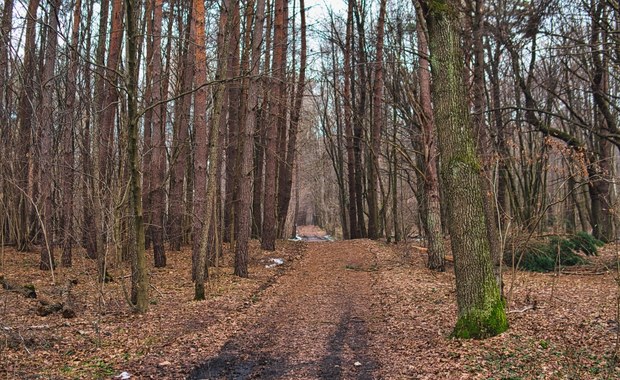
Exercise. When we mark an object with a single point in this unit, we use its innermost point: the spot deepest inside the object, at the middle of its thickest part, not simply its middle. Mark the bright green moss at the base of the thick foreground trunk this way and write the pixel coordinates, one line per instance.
(481, 324)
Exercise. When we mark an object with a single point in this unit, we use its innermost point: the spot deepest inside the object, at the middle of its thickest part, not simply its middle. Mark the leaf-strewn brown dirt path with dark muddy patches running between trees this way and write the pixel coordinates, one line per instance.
(317, 322)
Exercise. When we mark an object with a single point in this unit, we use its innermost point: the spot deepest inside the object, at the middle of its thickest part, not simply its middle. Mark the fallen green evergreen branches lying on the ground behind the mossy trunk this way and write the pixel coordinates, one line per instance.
(545, 255)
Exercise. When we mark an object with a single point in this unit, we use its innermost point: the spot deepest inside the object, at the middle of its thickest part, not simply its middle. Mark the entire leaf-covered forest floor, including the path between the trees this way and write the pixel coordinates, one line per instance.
(334, 310)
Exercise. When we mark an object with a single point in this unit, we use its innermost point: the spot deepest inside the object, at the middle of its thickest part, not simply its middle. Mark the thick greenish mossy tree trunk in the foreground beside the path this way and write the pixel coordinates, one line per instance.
(481, 311)
